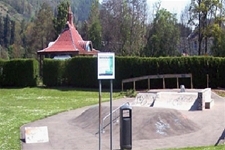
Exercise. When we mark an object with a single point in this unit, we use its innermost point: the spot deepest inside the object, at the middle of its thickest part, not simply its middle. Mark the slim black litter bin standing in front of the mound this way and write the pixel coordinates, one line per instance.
(126, 127)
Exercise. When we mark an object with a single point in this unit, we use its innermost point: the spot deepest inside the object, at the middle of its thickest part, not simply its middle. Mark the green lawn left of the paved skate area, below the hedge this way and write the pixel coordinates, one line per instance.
(21, 106)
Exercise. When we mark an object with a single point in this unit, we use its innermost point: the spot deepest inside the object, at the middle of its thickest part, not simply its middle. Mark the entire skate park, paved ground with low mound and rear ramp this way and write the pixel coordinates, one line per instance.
(161, 119)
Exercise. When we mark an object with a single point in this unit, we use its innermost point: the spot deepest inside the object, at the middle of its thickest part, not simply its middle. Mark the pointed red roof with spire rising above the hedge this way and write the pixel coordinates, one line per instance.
(70, 41)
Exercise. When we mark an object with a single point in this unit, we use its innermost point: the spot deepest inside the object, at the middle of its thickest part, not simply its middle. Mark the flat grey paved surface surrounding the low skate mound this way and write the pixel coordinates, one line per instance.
(65, 135)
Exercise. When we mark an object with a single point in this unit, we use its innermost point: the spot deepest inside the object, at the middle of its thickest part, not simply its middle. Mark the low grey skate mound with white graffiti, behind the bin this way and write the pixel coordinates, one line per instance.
(147, 123)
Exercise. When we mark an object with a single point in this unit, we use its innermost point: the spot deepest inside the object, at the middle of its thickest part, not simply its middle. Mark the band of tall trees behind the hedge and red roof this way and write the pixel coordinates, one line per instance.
(125, 27)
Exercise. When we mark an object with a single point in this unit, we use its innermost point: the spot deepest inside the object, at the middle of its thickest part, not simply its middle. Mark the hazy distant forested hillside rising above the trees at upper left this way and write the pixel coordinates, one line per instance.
(27, 9)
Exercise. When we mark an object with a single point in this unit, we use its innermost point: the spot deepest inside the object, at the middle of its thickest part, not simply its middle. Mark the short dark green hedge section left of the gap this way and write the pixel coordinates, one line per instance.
(19, 73)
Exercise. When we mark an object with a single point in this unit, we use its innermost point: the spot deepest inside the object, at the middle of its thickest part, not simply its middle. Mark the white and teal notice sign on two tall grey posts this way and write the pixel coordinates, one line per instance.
(106, 70)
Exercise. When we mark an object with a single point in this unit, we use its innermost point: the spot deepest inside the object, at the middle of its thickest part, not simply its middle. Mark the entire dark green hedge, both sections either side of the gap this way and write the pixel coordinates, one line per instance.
(82, 72)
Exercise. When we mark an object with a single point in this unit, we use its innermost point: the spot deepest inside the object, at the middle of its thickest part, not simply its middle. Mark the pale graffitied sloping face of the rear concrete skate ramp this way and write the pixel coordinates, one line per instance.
(173, 100)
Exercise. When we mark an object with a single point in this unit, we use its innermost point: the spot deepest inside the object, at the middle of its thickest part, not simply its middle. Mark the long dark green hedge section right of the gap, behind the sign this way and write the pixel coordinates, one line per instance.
(82, 71)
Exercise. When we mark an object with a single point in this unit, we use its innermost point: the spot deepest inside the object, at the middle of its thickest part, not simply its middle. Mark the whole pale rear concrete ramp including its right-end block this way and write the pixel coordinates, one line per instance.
(174, 99)
